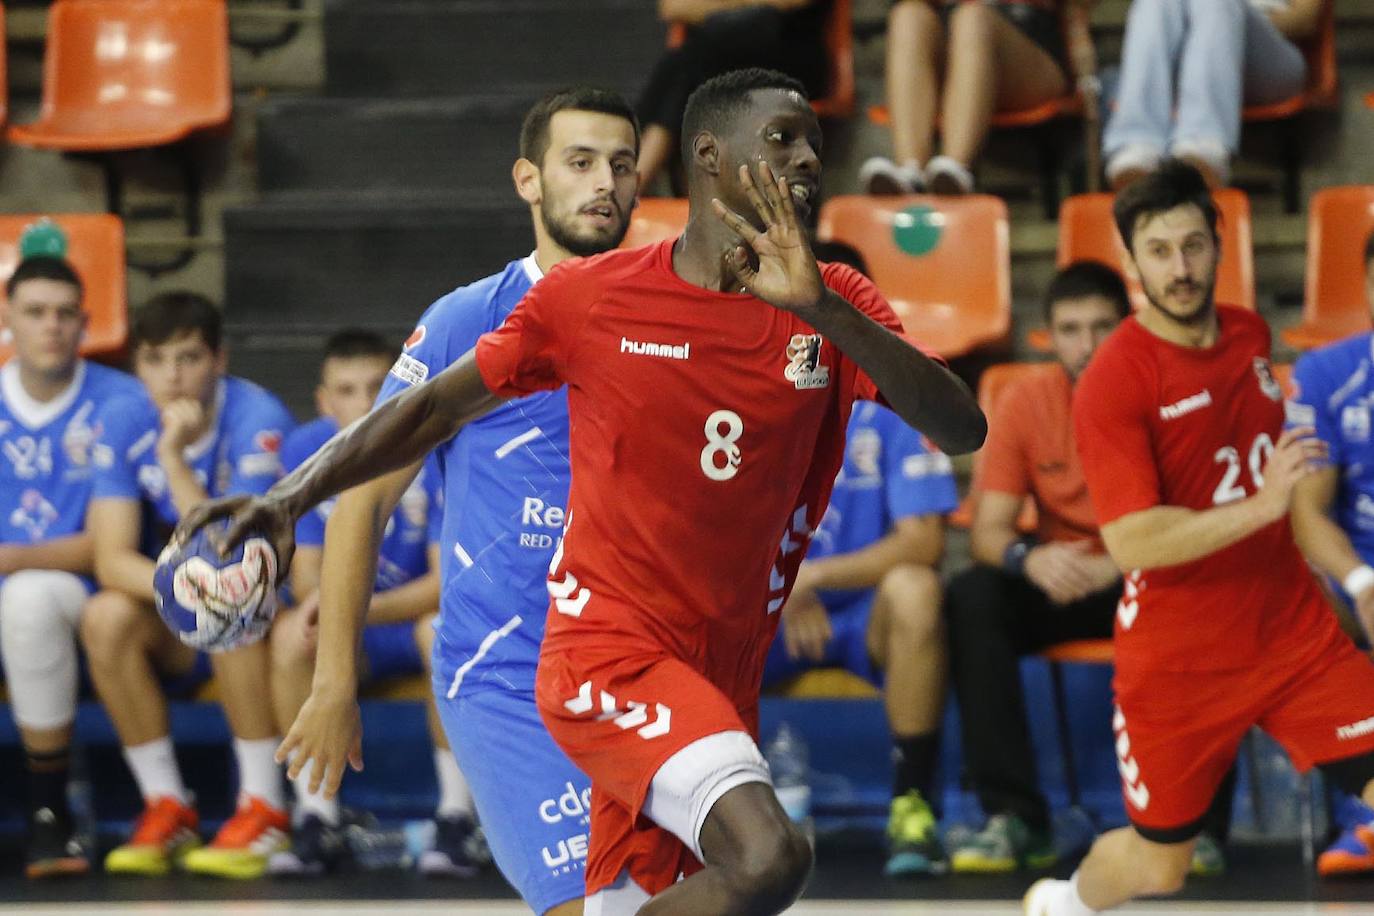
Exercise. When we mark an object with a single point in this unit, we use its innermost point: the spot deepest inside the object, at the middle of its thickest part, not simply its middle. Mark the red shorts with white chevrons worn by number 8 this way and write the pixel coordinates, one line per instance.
(620, 715)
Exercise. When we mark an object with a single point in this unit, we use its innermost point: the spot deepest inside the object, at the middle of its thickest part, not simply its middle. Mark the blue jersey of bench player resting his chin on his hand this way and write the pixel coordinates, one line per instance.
(241, 454)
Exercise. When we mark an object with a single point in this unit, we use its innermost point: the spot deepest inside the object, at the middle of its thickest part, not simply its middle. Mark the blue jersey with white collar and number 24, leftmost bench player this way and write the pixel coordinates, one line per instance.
(47, 474)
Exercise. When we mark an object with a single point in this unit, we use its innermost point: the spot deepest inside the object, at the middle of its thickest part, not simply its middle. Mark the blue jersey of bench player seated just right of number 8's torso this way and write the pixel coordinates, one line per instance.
(890, 474)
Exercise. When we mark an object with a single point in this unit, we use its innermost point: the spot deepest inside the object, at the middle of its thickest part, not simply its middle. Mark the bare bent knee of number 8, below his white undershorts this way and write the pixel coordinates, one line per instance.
(758, 860)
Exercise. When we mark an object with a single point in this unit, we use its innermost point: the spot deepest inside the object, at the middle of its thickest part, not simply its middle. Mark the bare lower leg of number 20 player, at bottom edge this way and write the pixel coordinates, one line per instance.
(1123, 866)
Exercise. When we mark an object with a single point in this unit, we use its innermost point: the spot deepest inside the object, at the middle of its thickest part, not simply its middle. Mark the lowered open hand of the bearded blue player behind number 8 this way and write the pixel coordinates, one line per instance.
(328, 731)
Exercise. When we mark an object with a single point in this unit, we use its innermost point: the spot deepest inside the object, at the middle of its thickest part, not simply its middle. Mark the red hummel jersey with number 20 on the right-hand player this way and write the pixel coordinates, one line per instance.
(1166, 425)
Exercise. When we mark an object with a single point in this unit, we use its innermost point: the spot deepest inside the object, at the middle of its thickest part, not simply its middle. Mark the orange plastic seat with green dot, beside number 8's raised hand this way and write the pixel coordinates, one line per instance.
(945, 264)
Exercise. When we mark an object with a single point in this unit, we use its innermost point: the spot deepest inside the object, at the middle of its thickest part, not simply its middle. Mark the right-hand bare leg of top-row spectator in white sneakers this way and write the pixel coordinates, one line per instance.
(993, 67)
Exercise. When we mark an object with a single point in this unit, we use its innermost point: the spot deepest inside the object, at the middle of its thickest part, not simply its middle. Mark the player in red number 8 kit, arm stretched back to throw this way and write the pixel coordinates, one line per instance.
(710, 384)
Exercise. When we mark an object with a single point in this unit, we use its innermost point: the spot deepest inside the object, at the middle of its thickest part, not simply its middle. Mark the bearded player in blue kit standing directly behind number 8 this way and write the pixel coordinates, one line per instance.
(506, 481)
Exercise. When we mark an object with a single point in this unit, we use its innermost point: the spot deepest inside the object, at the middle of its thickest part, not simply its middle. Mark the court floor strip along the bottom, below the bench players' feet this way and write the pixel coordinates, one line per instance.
(1268, 881)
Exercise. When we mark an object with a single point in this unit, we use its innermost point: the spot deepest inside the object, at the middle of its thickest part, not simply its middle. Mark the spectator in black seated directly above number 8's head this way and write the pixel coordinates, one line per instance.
(722, 36)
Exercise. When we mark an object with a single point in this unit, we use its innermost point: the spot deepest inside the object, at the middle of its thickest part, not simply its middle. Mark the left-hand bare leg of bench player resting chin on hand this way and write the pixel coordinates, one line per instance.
(126, 642)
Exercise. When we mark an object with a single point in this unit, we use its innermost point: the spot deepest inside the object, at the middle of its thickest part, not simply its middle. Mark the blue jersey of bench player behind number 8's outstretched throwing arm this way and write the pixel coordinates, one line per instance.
(413, 528)
